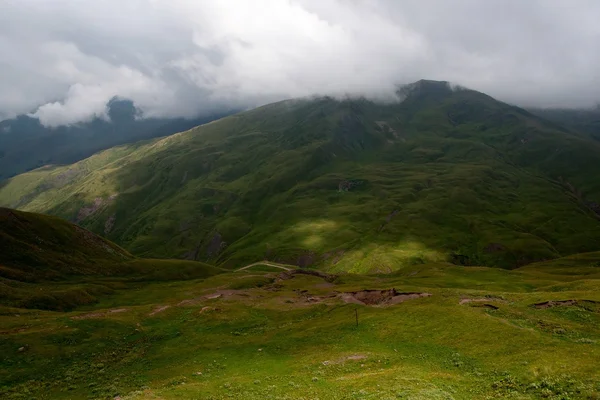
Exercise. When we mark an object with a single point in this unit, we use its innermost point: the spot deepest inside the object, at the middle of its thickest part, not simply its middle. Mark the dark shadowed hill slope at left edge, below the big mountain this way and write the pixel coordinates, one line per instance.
(49, 263)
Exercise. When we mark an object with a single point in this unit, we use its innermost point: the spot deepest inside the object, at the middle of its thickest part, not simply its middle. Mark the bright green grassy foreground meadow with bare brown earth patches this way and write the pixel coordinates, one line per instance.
(257, 334)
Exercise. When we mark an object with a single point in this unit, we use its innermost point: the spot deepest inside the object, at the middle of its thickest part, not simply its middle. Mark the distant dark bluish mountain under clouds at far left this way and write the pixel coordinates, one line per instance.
(26, 144)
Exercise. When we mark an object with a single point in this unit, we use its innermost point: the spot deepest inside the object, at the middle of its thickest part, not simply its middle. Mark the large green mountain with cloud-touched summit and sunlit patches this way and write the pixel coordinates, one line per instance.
(345, 185)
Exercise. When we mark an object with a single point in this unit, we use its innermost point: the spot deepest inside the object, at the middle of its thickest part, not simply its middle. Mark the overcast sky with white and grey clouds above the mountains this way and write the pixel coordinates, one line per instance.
(62, 60)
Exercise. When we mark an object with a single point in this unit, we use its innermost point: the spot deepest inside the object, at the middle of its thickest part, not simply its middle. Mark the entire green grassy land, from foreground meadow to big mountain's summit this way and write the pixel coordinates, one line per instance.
(442, 246)
